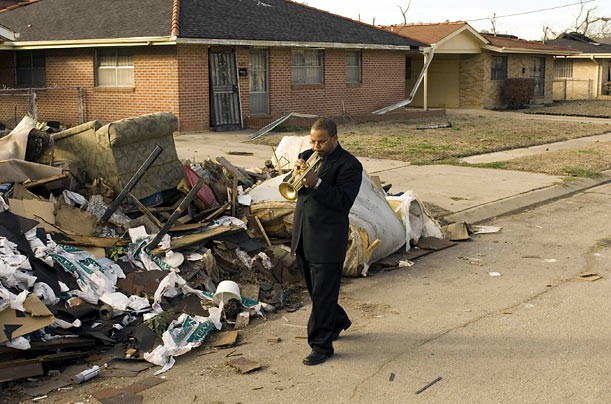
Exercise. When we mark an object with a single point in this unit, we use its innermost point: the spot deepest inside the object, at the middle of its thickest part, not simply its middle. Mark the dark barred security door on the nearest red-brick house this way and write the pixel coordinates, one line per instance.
(224, 93)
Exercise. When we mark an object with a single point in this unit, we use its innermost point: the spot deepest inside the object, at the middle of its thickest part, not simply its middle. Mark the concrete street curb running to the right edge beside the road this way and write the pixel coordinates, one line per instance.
(525, 200)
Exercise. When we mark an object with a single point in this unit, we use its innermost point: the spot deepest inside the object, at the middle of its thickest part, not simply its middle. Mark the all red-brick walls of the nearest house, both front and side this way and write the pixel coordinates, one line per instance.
(175, 79)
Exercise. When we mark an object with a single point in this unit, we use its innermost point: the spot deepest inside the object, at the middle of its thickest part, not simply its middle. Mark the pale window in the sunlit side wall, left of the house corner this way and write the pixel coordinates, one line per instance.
(114, 68)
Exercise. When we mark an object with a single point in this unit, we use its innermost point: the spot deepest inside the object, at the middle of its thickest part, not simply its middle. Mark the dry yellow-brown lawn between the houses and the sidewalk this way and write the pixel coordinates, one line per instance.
(469, 135)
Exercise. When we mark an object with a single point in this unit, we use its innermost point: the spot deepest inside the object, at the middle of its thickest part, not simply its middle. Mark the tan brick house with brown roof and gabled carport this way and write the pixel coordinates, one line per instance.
(468, 68)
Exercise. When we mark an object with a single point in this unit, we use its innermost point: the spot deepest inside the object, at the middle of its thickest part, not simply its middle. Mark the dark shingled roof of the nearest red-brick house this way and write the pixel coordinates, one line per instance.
(278, 21)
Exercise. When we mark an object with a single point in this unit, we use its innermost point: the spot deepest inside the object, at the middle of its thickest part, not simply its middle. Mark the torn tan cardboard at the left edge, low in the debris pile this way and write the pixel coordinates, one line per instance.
(14, 323)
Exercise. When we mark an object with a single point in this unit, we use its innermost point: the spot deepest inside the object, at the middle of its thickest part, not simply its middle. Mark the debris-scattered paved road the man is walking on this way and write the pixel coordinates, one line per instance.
(534, 334)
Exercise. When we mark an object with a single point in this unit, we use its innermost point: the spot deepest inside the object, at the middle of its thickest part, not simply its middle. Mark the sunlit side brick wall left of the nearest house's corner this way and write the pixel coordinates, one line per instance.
(155, 86)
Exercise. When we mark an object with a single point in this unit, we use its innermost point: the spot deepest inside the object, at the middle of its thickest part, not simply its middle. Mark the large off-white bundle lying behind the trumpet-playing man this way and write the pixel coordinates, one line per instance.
(377, 228)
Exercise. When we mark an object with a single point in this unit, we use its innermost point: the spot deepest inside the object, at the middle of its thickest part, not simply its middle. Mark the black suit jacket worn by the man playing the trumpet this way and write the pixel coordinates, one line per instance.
(321, 215)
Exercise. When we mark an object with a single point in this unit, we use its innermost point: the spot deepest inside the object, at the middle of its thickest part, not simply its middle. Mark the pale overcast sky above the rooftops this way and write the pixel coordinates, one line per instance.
(527, 25)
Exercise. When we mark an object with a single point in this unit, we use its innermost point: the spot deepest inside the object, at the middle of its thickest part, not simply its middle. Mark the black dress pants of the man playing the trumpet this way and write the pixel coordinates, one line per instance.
(323, 282)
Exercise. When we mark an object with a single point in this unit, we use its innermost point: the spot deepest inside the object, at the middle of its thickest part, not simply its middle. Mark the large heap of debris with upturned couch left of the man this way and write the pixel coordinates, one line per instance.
(109, 242)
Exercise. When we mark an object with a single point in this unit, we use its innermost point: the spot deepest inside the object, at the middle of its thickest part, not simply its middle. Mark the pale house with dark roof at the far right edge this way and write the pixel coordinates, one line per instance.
(583, 76)
